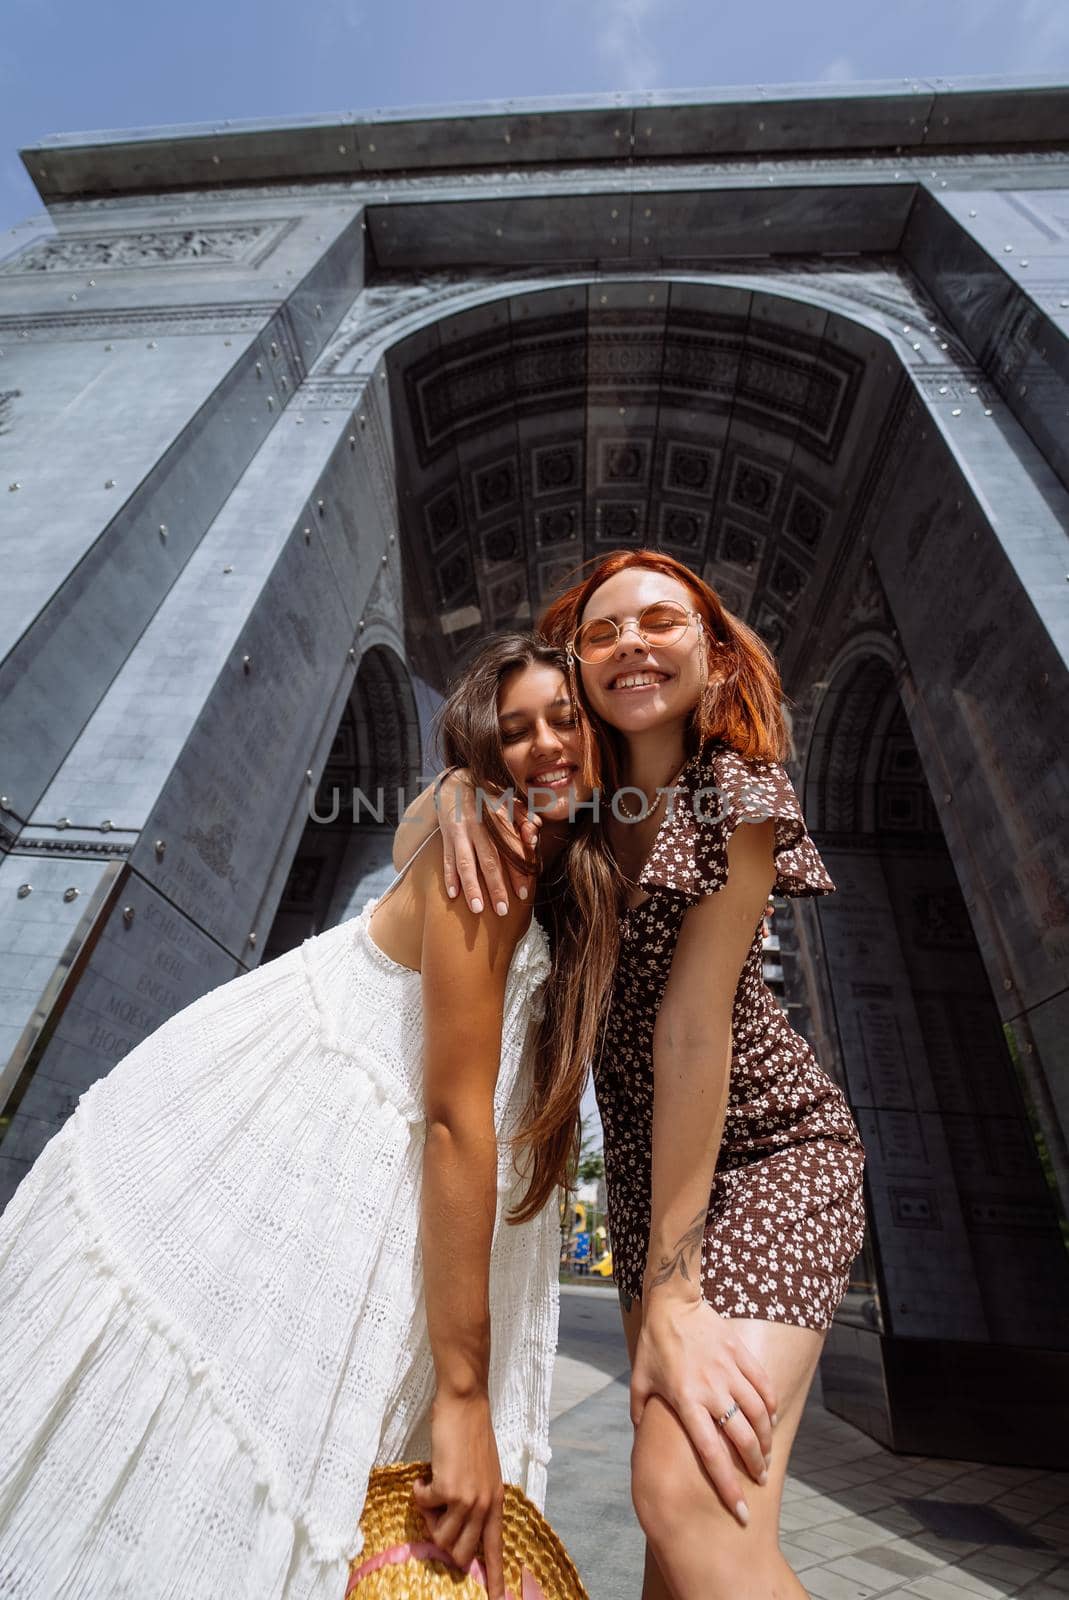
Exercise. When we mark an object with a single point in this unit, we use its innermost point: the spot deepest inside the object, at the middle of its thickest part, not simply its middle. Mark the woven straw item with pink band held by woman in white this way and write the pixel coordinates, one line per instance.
(399, 1561)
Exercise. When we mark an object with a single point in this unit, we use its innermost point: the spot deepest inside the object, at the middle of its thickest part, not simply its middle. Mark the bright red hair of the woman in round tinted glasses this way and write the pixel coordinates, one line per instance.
(745, 708)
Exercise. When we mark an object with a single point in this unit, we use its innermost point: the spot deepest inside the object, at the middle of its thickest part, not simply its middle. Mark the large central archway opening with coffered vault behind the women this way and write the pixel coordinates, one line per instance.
(763, 441)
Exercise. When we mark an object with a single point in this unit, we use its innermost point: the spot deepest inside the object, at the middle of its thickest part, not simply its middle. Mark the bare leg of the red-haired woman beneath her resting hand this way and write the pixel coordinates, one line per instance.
(697, 1550)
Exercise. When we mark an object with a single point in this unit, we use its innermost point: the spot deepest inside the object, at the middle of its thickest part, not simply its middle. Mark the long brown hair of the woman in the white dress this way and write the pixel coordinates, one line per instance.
(583, 942)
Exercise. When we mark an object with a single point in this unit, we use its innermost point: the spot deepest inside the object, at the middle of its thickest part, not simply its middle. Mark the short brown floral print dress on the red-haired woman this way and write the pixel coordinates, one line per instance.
(787, 1212)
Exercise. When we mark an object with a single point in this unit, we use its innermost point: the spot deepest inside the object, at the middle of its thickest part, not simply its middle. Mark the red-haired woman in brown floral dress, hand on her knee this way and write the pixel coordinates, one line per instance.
(734, 1164)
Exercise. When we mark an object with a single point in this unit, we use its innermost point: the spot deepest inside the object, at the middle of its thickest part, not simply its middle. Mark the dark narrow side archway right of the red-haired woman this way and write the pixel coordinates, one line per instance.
(966, 1244)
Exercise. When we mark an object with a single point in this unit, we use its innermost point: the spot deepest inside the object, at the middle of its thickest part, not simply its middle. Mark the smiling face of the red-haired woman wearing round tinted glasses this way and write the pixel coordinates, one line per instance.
(641, 687)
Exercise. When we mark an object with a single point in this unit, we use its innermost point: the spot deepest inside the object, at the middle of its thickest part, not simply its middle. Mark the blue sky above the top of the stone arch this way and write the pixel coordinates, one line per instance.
(71, 66)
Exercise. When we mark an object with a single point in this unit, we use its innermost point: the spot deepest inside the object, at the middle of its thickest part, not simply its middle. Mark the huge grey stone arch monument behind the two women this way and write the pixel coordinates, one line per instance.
(292, 418)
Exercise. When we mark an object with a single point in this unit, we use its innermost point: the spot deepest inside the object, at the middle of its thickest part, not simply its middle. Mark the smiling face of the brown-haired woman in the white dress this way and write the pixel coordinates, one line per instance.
(540, 740)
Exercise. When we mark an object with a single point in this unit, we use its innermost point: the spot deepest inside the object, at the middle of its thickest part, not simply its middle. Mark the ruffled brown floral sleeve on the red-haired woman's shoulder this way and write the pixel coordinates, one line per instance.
(716, 791)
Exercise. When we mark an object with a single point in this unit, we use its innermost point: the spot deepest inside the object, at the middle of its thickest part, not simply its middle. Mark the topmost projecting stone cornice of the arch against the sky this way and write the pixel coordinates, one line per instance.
(910, 118)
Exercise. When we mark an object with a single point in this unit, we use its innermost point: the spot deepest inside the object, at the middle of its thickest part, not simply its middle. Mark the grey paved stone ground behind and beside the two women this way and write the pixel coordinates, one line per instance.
(859, 1521)
